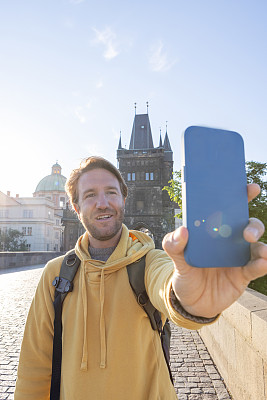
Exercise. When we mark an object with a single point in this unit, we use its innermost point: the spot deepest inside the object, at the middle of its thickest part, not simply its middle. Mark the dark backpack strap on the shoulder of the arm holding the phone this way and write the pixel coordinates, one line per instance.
(136, 274)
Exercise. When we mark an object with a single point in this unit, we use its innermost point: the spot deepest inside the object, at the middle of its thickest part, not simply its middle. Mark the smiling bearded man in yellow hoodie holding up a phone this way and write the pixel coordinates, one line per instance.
(109, 349)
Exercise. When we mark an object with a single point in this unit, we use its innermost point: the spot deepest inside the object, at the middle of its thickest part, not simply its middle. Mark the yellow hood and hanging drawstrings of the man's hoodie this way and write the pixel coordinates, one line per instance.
(132, 246)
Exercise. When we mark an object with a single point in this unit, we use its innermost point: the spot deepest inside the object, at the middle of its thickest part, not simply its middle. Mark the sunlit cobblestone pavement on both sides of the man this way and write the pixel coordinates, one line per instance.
(195, 375)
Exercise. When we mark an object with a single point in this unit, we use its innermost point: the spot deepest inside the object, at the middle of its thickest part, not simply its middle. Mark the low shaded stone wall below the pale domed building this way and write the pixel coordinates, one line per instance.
(21, 259)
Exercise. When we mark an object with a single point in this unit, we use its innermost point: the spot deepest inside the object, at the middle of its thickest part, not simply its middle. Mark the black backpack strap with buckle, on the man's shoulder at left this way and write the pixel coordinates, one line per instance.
(63, 284)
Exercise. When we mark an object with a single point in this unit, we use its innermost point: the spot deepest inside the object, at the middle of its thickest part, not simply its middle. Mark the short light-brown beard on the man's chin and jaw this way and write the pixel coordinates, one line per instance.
(108, 230)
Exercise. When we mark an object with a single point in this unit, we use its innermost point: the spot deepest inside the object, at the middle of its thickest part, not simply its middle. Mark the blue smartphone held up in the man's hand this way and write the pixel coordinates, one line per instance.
(214, 197)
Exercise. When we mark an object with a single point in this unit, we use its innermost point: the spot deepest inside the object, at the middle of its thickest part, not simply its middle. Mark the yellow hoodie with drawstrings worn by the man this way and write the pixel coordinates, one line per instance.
(110, 351)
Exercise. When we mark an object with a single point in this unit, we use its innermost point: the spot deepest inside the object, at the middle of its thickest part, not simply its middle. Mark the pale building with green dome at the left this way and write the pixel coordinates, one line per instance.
(39, 217)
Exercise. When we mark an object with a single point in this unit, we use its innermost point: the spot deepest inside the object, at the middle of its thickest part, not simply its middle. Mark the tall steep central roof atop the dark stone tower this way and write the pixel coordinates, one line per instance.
(141, 137)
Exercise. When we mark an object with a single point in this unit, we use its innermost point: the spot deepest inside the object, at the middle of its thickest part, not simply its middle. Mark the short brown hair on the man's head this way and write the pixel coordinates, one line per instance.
(87, 165)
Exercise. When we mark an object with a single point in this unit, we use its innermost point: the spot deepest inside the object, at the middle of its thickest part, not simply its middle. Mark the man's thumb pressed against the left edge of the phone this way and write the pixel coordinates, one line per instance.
(174, 242)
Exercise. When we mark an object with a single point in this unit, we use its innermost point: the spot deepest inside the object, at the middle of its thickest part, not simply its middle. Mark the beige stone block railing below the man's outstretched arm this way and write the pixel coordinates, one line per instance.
(237, 343)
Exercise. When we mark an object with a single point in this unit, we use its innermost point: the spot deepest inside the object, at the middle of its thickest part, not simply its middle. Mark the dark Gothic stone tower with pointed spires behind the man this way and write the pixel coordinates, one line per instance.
(146, 170)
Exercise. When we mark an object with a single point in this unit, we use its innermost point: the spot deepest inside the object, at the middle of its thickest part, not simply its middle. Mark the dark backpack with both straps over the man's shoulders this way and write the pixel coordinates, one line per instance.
(64, 284)
